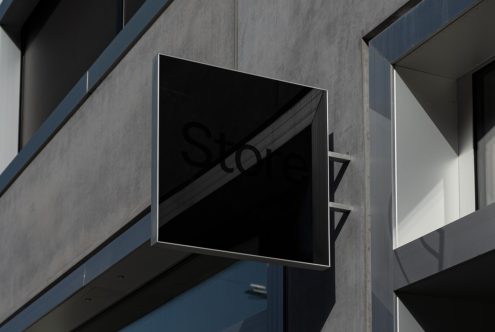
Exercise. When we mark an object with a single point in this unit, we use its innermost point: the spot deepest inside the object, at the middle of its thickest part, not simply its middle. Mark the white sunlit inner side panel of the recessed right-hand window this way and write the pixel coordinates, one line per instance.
(427, 166)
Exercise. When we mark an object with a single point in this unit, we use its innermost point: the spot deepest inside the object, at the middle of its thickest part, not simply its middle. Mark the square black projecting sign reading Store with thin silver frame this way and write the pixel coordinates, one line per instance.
(240, 165)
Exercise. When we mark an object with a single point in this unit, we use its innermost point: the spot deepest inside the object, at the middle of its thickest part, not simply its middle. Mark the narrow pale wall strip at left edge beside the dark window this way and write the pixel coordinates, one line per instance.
(10, 68)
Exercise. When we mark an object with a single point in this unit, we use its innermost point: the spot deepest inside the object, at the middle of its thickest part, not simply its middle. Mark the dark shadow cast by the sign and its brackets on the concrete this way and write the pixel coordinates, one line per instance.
(310, 295)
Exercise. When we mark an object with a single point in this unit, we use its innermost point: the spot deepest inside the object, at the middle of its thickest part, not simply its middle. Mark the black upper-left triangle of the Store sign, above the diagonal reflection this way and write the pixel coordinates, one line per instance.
(206, 113)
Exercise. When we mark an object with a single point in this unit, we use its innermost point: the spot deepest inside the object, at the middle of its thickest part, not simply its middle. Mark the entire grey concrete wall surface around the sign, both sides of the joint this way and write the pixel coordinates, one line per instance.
(94, 176)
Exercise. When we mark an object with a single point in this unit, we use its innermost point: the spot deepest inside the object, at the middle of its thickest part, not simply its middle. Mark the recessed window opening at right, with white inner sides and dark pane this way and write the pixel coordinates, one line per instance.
(438, 176)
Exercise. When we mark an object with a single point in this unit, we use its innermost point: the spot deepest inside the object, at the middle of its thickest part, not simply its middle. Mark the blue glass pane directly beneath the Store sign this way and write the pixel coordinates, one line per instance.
(224, 302)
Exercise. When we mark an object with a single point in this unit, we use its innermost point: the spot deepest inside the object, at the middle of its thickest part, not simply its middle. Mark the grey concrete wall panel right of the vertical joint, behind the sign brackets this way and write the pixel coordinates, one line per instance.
(319, 43)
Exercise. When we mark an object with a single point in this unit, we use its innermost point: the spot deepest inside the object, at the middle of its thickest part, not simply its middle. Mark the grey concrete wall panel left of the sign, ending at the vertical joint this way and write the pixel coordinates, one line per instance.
(94, 176)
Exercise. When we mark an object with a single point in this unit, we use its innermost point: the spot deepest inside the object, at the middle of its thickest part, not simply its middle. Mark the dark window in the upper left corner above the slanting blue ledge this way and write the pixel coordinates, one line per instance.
(60, 41)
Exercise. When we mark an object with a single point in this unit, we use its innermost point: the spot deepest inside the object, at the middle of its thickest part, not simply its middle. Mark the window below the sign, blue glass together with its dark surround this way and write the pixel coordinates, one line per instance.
(200, 293)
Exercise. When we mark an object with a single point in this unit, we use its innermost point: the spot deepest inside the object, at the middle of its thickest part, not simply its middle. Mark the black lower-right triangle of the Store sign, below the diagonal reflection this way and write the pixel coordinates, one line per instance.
(263, 211)
